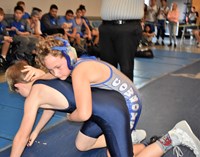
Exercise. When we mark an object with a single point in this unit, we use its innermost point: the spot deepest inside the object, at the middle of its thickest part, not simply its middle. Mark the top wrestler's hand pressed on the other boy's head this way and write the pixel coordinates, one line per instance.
(32, 73)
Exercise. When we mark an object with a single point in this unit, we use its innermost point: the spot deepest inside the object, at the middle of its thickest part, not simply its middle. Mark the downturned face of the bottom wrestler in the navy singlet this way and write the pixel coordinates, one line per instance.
(23, 89)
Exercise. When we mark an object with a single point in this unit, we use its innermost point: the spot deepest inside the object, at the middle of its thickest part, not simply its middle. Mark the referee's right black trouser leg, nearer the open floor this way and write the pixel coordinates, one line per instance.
(126, 40)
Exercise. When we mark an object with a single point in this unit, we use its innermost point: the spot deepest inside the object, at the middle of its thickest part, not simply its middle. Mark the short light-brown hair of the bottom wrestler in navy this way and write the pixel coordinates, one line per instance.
(14, 75)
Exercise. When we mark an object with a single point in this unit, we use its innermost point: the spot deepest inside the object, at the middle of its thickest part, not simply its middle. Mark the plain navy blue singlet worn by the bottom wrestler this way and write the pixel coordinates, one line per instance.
(109, 110)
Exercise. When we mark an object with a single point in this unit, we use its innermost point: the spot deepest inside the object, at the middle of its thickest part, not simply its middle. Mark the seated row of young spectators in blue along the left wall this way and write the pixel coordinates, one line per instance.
(20, 33)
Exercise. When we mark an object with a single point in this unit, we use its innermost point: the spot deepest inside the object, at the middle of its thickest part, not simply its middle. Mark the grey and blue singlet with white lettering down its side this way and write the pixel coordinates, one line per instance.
(122, 84)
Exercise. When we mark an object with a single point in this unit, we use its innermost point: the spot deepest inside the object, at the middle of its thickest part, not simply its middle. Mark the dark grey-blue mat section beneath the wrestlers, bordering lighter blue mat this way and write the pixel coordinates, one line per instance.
(166, 101)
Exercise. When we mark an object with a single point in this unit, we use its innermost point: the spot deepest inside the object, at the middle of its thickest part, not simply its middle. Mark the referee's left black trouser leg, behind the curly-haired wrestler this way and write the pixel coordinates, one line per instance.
(107, 51)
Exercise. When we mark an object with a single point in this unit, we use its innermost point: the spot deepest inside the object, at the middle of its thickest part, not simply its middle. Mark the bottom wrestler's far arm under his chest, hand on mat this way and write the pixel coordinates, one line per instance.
(46, 116)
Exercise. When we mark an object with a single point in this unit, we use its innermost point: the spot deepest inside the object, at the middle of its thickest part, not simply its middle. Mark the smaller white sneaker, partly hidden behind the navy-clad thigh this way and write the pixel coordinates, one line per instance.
(138, 136)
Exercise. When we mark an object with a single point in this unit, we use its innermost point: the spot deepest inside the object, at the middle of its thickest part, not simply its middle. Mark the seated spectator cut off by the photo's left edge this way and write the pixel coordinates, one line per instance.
(5, 41)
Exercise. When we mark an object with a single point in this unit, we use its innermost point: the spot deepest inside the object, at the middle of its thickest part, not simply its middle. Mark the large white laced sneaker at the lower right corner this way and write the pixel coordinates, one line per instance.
(182, 134)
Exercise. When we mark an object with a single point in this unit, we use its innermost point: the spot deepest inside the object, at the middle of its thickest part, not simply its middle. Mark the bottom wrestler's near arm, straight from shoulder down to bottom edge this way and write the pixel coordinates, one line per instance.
(31, 106)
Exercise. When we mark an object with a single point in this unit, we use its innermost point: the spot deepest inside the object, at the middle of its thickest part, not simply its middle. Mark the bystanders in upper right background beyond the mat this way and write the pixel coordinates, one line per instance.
(158, 16)
